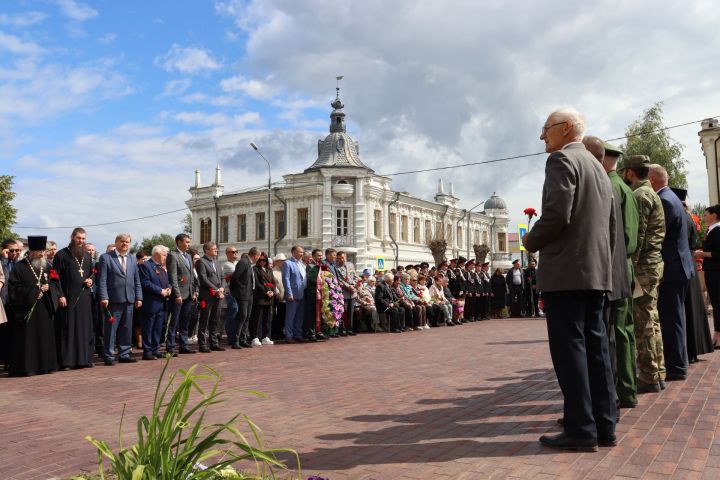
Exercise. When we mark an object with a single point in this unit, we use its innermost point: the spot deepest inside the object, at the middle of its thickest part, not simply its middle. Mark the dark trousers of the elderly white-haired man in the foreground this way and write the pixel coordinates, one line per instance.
(579, 351)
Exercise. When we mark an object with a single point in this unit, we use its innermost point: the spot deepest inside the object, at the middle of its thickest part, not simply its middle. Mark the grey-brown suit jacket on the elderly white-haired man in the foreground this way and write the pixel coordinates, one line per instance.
(576, 233)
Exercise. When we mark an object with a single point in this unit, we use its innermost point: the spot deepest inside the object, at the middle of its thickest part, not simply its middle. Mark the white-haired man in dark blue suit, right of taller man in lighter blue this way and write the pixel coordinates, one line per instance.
(156, 290)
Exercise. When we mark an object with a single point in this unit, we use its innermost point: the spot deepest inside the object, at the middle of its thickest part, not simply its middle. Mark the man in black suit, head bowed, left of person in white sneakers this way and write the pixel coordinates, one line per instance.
(242, 285)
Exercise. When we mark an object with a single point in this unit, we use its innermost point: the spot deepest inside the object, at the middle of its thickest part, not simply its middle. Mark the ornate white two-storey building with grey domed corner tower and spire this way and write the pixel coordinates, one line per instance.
(339, 202)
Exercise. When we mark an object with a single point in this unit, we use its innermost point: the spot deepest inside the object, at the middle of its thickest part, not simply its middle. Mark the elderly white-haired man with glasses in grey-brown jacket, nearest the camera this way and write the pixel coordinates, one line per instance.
(575, 237)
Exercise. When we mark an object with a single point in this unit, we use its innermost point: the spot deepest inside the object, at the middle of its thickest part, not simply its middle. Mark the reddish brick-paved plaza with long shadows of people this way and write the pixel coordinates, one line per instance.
(466, 402)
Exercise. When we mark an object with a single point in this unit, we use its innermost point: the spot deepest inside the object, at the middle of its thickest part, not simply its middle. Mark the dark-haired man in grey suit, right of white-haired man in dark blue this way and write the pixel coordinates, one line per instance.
(184, 287)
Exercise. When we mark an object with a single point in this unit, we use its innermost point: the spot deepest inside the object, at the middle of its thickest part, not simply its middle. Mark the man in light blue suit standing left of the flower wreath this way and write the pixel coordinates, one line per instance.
(294, 282)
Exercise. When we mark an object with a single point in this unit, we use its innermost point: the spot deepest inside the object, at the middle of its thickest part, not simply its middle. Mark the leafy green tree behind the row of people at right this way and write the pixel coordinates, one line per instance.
(646, 137)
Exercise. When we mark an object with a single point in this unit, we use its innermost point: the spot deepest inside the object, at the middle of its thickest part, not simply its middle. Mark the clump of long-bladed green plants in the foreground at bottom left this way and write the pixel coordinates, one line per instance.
(175, 439)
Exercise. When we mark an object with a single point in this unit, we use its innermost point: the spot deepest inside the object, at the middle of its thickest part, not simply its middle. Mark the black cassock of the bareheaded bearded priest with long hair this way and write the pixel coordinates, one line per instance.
(74, 323)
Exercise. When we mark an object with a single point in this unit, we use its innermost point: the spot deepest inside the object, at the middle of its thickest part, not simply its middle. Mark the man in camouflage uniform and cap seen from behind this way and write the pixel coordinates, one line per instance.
(648, 265)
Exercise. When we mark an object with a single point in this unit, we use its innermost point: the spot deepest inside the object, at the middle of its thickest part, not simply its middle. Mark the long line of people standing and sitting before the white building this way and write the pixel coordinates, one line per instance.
(67, 305)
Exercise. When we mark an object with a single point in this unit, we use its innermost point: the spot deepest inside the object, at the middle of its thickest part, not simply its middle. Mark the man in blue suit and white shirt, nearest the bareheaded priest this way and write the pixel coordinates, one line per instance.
(119, 291)
